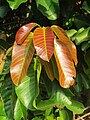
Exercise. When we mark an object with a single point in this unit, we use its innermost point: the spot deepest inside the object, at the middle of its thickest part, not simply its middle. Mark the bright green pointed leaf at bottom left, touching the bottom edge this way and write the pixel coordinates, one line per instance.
(19, 111)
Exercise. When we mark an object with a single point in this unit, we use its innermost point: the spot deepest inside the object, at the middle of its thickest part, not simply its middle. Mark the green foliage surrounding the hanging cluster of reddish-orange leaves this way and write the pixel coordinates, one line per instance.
(38, 98)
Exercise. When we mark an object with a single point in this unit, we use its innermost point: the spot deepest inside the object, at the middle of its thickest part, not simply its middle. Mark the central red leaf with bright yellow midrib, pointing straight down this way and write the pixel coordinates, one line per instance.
(44, 42)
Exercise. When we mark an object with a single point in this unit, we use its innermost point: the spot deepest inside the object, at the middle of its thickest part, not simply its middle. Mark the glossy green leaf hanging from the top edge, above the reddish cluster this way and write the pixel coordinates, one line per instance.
(49, 8)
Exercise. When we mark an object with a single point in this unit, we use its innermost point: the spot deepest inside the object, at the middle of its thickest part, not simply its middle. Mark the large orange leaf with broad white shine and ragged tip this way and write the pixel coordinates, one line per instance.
(65, 64)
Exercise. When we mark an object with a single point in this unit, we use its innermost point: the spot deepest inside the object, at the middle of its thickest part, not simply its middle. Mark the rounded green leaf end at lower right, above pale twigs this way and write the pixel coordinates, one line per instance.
(76, 107)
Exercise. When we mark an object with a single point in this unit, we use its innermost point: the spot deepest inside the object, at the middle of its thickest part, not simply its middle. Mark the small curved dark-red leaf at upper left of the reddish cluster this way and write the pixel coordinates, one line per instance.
(23, 32)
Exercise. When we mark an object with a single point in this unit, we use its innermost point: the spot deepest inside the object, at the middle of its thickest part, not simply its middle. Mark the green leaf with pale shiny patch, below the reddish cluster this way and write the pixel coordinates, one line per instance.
(58, 98)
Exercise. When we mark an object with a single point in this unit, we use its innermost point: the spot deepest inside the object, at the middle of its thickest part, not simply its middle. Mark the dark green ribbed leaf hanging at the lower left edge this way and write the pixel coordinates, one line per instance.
(7, 93)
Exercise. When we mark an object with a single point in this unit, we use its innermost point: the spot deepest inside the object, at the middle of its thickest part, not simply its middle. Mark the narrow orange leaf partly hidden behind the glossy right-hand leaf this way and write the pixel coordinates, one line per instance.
(60, 33)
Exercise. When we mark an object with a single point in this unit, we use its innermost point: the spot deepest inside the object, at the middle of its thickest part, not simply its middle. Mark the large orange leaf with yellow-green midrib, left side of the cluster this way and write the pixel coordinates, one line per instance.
(21, 58)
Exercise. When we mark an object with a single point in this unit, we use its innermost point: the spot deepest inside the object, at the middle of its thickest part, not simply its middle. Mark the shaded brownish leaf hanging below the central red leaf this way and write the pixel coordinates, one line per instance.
(48, 68)
